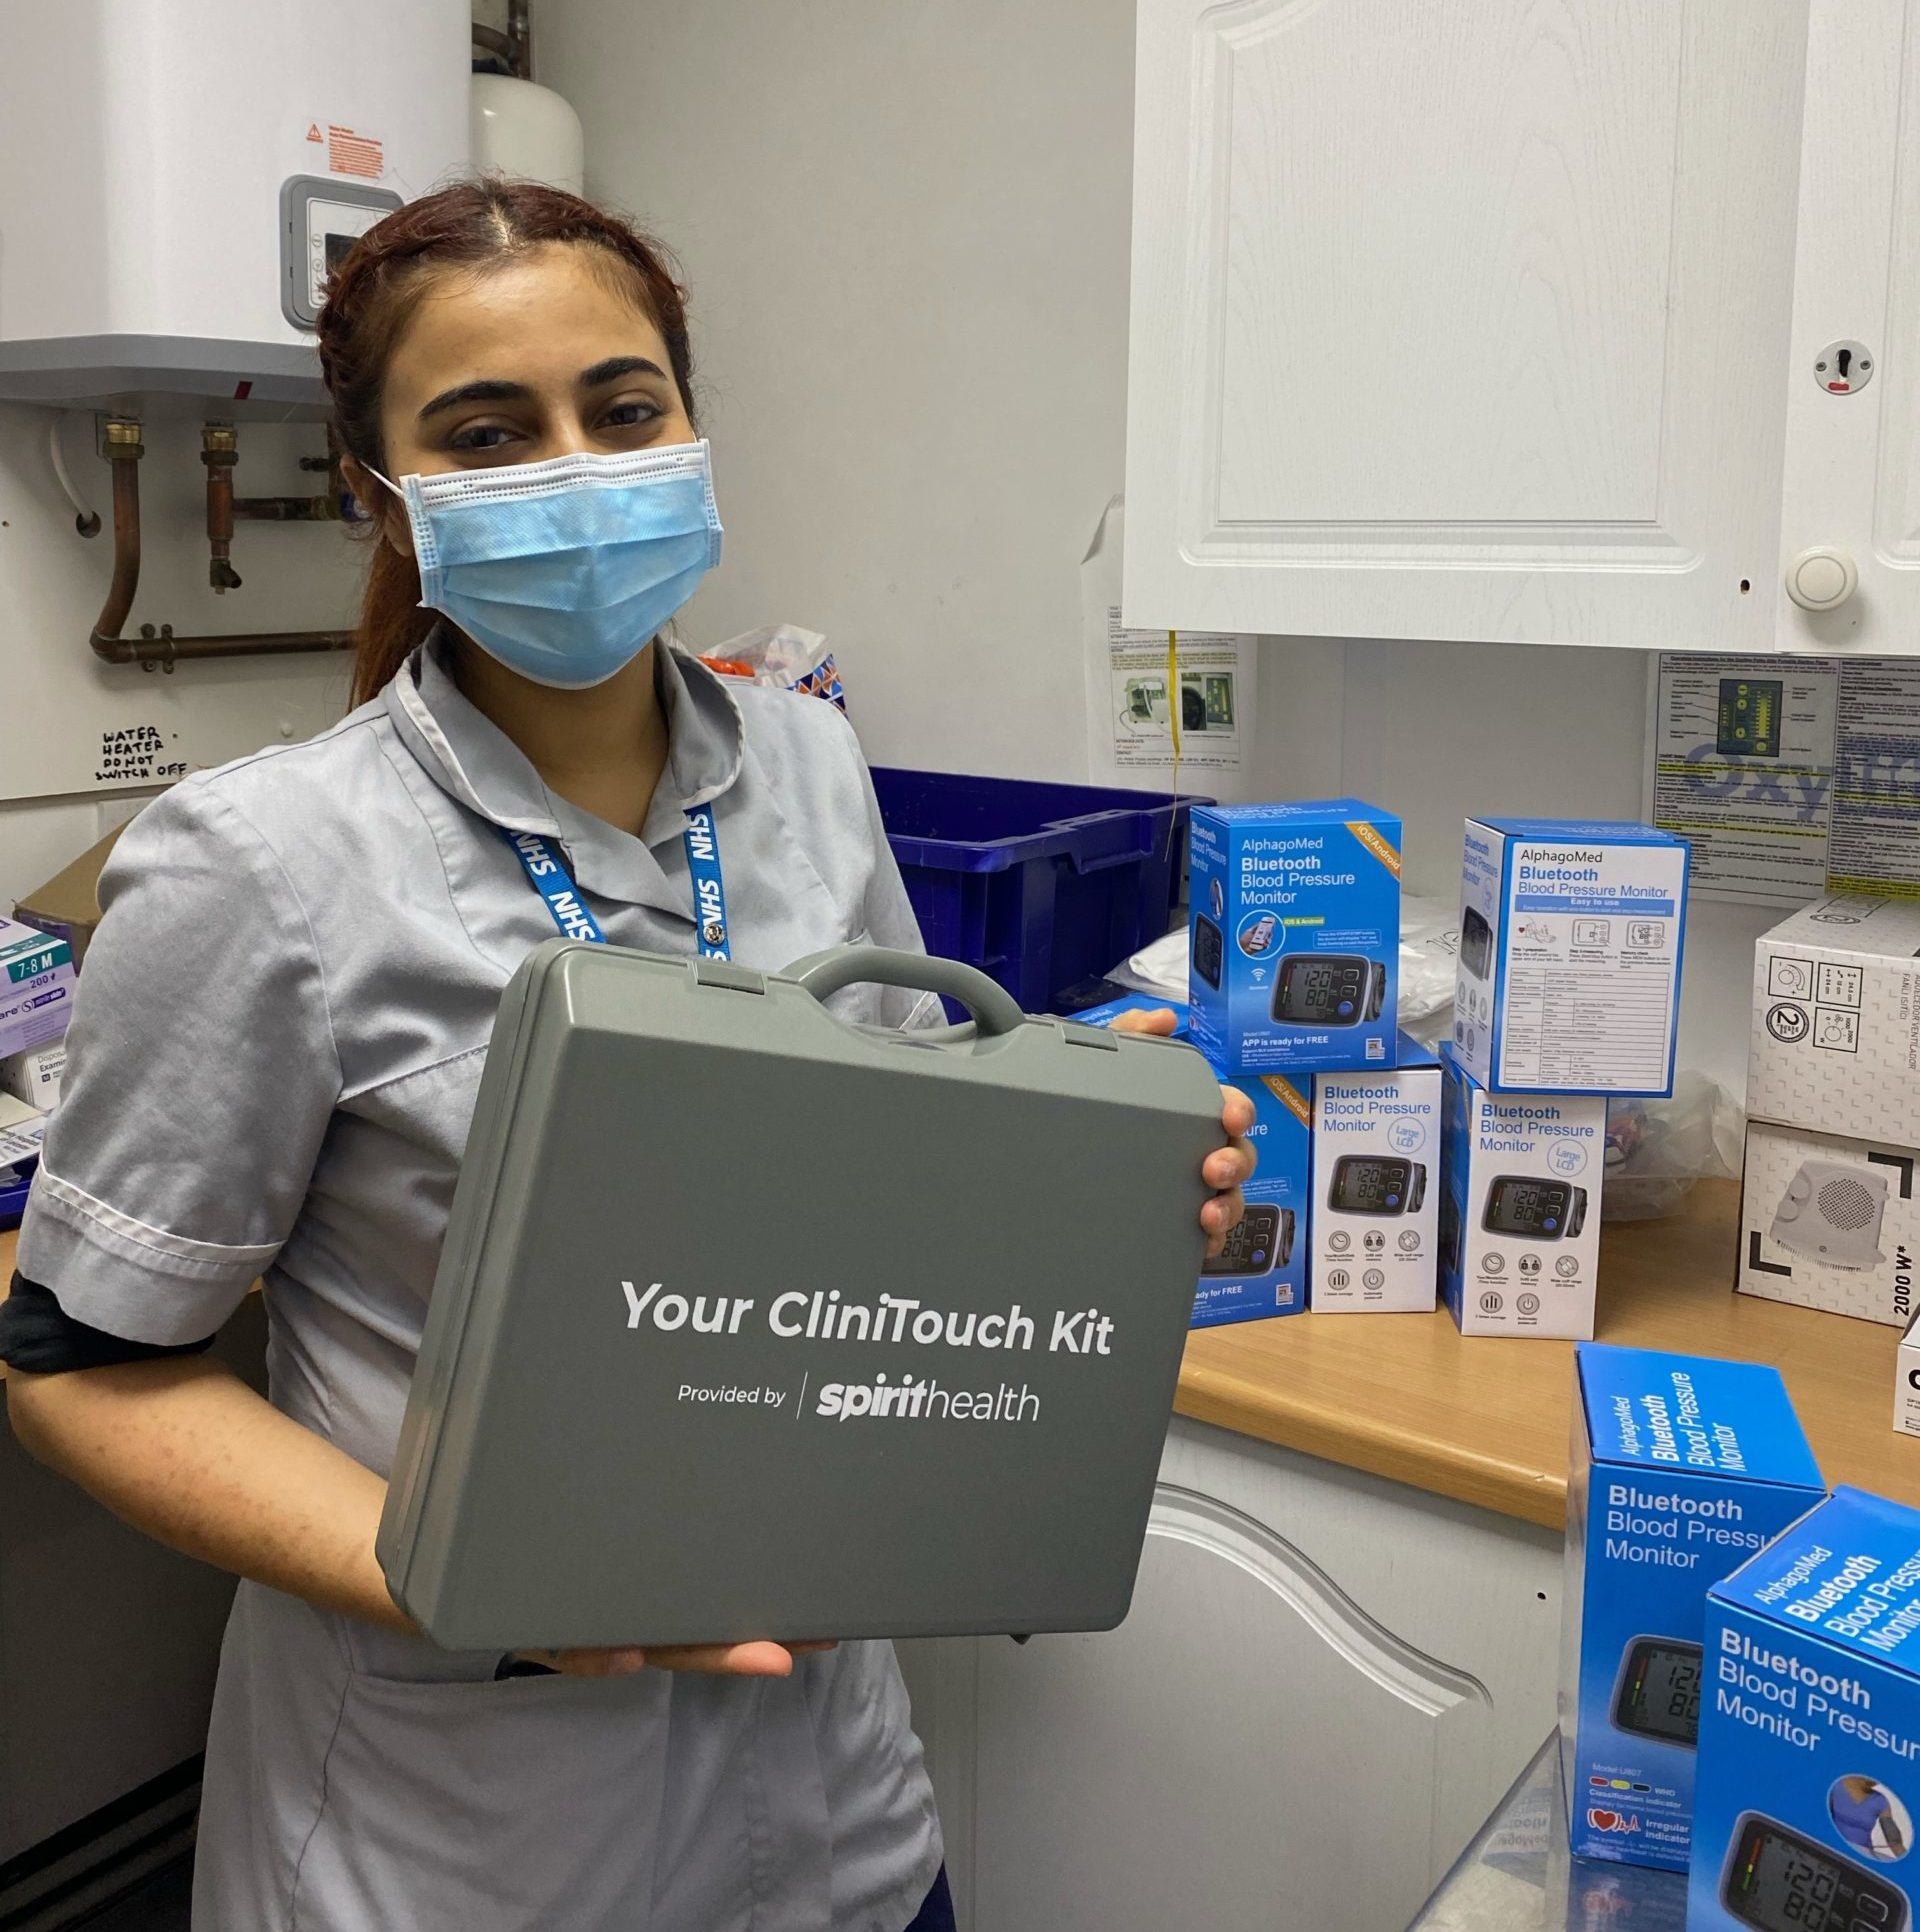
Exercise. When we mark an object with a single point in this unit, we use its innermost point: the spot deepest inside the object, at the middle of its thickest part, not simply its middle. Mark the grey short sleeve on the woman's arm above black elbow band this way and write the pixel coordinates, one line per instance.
(202, 1075)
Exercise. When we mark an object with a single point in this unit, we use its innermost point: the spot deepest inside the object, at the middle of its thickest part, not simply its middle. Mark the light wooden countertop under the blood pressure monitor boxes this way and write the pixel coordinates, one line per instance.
(1488, 1421)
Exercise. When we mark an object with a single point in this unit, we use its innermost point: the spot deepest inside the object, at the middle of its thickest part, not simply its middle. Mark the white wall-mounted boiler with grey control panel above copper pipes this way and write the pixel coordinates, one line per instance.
(175, 183)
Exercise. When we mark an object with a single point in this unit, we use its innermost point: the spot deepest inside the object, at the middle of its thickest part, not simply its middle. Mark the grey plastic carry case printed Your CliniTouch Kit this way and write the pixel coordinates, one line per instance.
(604, 1446)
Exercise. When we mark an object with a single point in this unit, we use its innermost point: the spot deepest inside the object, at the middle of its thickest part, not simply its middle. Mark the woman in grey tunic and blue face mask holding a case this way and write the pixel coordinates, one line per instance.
(273, 1069)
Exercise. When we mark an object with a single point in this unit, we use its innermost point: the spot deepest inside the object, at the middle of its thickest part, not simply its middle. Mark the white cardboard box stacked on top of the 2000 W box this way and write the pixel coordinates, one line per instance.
(1836, 1040)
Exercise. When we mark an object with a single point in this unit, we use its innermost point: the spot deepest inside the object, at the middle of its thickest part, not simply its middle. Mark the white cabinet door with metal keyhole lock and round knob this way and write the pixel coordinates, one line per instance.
(1853, 436)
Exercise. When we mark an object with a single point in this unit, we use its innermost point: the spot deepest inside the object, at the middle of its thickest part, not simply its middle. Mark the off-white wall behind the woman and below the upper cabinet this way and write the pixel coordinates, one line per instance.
(907, 237)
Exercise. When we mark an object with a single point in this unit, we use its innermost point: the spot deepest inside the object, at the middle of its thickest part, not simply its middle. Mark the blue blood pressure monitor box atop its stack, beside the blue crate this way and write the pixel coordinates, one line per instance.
(1295, 934)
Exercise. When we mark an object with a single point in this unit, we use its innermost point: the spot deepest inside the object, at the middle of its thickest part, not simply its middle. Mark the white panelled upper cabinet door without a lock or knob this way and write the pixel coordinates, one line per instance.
(1463, 322)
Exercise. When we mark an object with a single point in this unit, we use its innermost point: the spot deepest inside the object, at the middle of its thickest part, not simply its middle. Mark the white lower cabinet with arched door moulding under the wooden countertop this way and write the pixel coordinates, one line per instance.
(1324, 1686)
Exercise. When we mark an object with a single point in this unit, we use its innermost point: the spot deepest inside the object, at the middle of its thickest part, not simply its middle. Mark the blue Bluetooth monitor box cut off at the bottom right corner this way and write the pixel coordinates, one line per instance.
(1809, 1778)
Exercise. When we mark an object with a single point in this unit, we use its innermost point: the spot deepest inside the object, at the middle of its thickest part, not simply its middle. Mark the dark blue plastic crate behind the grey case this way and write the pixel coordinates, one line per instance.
(1044, 888)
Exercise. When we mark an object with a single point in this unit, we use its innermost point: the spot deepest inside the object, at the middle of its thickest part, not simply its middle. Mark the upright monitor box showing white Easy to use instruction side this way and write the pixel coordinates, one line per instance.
(1571, 938)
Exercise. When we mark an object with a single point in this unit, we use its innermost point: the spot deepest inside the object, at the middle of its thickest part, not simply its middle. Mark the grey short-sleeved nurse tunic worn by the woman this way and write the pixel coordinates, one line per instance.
(273, 1067)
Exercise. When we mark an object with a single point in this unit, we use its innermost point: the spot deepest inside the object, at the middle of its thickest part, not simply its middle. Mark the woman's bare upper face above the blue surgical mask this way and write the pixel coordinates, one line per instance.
(519, 364)
